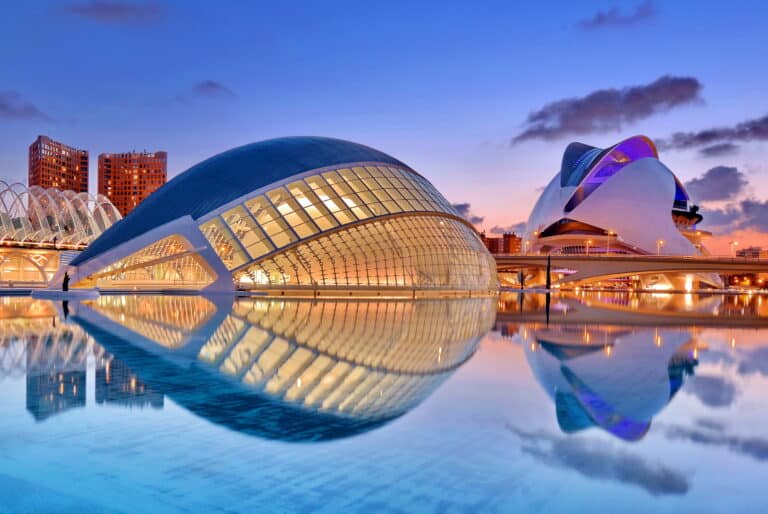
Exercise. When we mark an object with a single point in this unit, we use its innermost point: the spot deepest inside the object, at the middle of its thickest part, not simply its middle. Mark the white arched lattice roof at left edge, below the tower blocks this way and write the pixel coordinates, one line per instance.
(39, 217)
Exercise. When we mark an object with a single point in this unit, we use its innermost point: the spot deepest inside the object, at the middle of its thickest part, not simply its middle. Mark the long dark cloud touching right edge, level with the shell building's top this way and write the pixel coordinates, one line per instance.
(749, 130)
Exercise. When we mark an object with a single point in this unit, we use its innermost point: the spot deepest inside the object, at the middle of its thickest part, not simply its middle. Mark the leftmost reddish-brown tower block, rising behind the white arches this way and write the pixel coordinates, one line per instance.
(54, 164)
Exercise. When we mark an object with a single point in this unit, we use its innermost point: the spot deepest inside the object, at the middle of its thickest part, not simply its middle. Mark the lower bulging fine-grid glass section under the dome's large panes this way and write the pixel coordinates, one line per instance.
(420, 251)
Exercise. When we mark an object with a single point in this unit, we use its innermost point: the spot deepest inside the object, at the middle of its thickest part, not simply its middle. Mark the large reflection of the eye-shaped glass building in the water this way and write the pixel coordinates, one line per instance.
(289, 369)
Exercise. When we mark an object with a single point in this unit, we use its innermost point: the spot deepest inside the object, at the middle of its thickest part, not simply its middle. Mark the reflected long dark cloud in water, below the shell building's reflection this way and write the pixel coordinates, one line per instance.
(601, 460)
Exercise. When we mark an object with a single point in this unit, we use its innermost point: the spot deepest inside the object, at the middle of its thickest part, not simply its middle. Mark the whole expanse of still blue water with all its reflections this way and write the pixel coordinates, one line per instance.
(588, 402)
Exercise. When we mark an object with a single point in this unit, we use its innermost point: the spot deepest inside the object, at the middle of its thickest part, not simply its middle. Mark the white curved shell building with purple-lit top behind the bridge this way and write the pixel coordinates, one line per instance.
(618, 200)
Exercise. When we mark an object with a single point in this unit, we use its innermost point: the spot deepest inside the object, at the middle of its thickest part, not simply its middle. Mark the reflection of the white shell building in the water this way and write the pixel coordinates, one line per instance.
(612, 377)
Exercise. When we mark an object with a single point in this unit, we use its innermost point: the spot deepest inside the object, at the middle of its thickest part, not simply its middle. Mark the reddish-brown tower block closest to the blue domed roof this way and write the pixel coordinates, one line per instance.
(129, 178)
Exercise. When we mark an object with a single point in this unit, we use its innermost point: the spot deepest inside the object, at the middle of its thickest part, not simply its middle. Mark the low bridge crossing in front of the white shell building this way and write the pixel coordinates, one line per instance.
(578, 268)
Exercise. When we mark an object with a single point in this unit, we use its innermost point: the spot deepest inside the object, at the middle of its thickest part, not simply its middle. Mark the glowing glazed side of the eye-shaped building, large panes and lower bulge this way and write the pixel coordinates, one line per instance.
(291, 235)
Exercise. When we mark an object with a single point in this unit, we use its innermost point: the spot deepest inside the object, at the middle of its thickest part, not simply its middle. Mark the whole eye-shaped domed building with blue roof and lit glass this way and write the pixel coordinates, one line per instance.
(291, 213)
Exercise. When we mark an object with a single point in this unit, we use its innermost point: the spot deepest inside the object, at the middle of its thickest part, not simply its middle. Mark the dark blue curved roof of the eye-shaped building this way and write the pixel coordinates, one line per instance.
(229, 175)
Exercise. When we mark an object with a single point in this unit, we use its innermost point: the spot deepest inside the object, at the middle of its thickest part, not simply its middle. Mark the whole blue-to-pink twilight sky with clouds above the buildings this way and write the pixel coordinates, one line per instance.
(481, 99)
